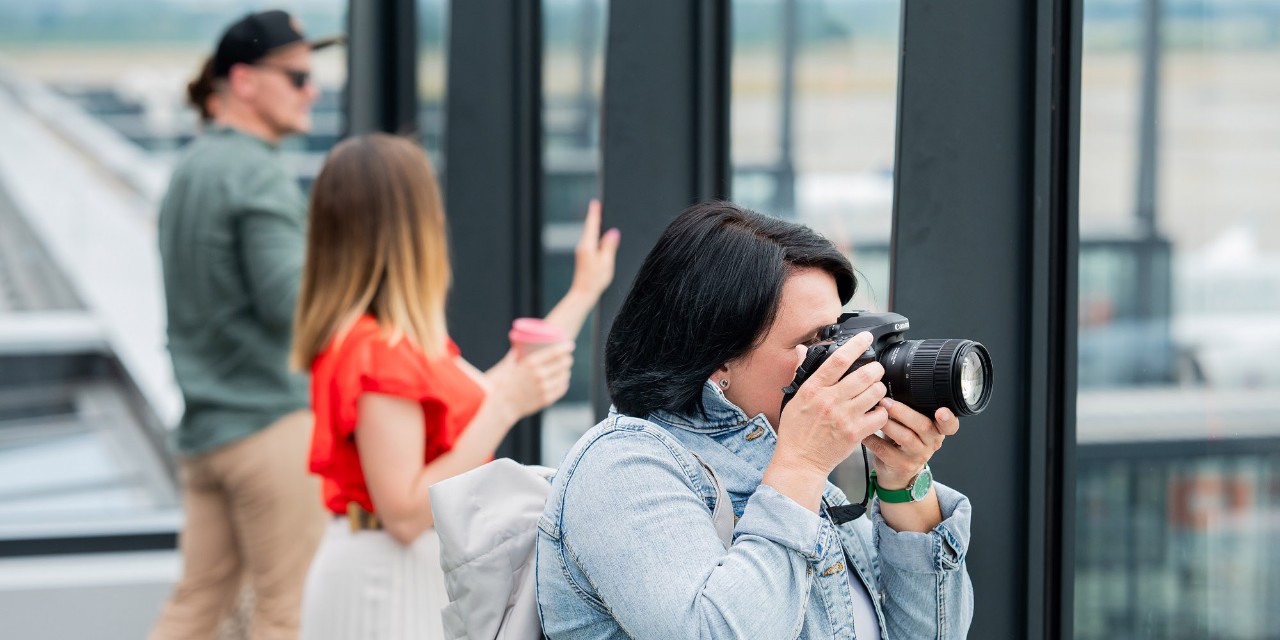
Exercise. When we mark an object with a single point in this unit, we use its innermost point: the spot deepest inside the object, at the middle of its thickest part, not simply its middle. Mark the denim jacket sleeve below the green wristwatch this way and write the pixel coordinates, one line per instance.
(924, 577)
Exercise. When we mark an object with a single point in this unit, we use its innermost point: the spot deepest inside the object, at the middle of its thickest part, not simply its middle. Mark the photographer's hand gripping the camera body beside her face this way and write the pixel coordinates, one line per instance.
(830, 417)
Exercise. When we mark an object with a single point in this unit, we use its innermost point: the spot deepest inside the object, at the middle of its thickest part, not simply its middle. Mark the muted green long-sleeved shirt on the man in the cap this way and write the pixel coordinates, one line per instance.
(232, 243)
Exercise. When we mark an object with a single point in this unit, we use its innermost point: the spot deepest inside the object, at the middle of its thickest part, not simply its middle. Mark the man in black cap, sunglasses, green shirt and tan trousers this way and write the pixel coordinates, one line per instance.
(232, 239)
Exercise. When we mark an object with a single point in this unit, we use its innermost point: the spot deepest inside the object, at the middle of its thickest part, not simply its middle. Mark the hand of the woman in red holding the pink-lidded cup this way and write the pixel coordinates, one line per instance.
(534, 382)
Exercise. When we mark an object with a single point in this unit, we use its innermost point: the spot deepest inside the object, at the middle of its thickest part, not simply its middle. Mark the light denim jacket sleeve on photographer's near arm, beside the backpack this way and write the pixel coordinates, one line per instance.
(638, 527)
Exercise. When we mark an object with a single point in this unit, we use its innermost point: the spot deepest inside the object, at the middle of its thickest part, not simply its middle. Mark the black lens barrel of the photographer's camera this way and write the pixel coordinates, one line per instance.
(939, 373)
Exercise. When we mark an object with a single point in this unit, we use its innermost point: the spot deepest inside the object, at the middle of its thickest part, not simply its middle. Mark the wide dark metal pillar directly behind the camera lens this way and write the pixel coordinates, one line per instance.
(985, 248)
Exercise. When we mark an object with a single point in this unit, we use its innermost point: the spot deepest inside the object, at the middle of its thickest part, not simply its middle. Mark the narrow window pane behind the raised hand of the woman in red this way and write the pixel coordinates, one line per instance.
(573, 85)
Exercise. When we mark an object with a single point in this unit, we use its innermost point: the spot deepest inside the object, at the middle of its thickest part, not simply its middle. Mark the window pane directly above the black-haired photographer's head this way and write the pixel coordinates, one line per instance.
(815, 98)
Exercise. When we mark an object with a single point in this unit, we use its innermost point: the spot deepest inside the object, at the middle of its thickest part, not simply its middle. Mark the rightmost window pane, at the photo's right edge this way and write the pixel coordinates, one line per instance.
(1180, 335)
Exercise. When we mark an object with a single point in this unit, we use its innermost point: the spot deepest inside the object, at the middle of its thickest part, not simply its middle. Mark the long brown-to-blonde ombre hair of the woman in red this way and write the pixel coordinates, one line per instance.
(377, 244)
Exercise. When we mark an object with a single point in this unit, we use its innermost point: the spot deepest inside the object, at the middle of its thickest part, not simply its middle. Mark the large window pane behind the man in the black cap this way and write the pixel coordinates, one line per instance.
(93, 115)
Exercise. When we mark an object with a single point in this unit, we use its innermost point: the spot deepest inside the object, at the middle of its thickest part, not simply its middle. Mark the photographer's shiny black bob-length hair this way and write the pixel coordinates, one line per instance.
(707, 294)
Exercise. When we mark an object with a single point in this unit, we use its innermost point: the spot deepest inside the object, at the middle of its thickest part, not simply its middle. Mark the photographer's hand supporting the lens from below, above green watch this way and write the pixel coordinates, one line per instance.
(911, 440)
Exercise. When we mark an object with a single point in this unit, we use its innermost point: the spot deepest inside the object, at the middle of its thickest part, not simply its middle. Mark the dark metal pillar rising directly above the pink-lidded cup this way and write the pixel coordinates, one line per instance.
(493, 188)
